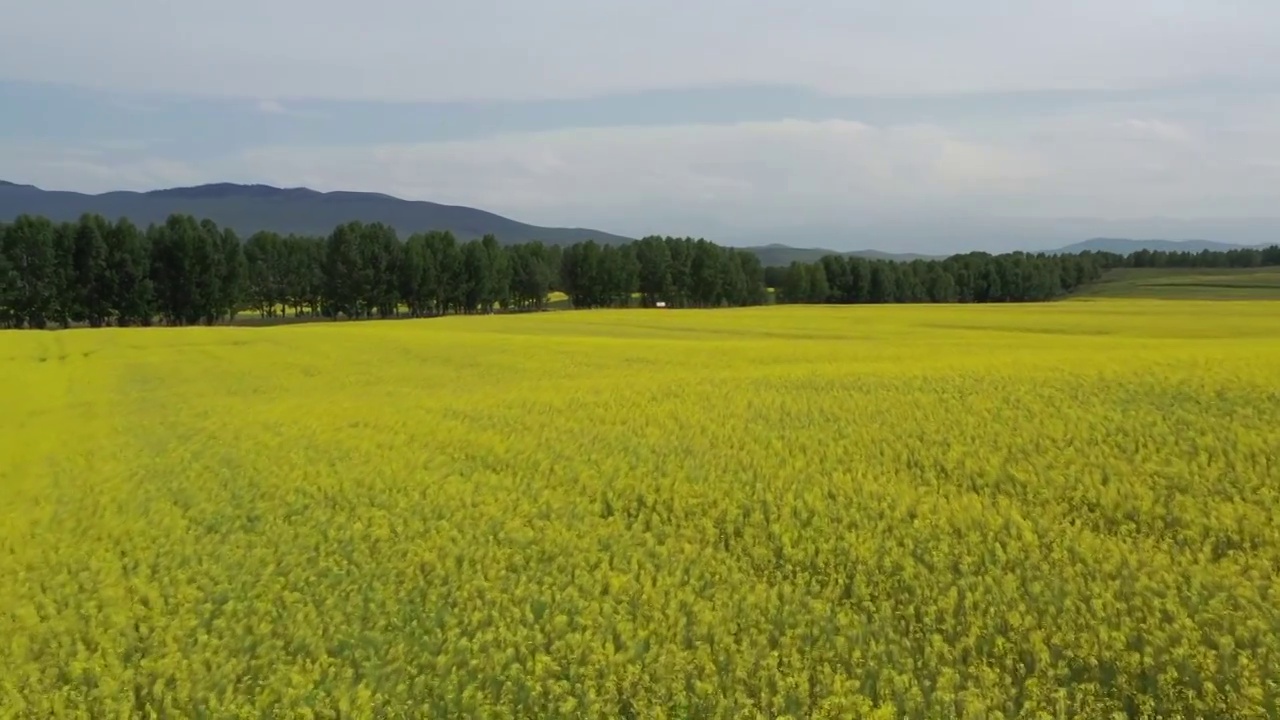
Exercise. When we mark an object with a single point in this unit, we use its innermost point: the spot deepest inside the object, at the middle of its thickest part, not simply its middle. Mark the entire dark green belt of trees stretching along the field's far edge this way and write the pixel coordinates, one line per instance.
(186, 272)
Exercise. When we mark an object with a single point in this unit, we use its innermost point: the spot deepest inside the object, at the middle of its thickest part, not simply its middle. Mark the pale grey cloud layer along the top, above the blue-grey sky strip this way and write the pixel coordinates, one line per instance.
(424, 49)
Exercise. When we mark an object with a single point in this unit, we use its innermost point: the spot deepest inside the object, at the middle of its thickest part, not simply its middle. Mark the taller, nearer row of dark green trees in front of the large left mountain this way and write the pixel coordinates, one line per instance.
(189, 272)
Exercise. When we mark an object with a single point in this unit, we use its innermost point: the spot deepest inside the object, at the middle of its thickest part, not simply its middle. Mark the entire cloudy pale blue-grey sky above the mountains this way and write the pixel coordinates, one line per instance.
(908, 126)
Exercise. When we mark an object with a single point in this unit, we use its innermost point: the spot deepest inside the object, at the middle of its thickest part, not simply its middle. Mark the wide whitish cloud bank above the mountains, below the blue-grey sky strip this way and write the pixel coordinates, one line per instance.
(725, 180)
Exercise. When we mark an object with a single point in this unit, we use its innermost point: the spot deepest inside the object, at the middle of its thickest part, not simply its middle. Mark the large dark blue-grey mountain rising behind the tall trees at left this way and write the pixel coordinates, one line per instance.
(252, 208)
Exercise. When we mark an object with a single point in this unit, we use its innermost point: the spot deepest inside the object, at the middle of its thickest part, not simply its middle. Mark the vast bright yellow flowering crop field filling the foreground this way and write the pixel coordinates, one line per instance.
(1064, 511)
